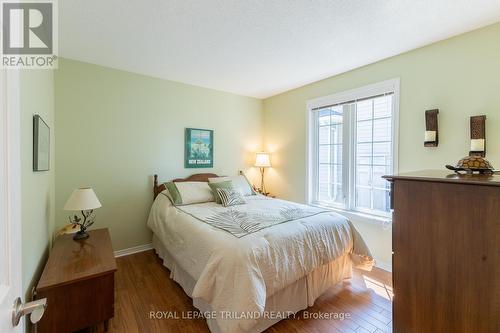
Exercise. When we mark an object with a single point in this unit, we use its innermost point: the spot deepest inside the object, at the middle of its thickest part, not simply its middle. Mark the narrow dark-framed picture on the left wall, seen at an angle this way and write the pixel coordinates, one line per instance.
(41, 144)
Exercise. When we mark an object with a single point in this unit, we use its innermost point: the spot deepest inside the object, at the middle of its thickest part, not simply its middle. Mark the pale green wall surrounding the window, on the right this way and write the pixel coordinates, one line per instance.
(460, 76)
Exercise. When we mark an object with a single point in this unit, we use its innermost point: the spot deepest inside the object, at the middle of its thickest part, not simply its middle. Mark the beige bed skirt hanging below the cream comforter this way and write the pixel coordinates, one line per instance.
(297, 296)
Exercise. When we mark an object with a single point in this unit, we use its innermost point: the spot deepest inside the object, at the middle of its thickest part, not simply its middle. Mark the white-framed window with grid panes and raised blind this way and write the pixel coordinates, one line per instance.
(352, 144)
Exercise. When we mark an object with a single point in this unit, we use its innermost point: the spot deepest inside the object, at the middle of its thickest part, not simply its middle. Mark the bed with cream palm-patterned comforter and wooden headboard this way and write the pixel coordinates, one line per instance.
(246, 267)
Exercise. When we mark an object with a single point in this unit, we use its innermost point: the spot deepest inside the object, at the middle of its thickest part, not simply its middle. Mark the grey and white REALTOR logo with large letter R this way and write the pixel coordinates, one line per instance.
(29, 34)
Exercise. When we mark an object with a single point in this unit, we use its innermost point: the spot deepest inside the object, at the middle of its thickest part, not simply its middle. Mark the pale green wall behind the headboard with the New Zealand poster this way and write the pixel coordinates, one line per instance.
(116, 129)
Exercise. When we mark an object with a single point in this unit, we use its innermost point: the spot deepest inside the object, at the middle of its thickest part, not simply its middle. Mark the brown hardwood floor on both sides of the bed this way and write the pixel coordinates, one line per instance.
(143, 285)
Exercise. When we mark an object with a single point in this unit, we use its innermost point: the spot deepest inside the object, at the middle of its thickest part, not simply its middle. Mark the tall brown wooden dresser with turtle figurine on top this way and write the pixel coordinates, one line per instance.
(446, 252)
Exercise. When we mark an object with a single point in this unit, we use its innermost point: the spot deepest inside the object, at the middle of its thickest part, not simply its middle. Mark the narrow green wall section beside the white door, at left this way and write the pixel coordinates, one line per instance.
(37, 188)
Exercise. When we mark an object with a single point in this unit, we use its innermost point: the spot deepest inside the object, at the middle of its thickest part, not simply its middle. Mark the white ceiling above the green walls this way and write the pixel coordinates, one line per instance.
(257, 47)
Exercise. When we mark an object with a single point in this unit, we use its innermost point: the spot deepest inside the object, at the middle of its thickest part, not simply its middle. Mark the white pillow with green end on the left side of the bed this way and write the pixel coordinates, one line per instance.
(186, 193)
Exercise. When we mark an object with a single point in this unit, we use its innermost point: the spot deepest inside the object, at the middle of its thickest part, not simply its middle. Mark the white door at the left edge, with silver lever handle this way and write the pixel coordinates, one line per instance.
(10, 200)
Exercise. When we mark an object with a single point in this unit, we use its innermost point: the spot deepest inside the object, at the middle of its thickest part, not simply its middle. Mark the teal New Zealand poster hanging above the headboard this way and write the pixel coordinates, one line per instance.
(199, 148)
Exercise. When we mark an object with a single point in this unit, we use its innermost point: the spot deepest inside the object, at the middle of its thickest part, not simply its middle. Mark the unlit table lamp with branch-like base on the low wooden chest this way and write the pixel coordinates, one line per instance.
(85, 201)
